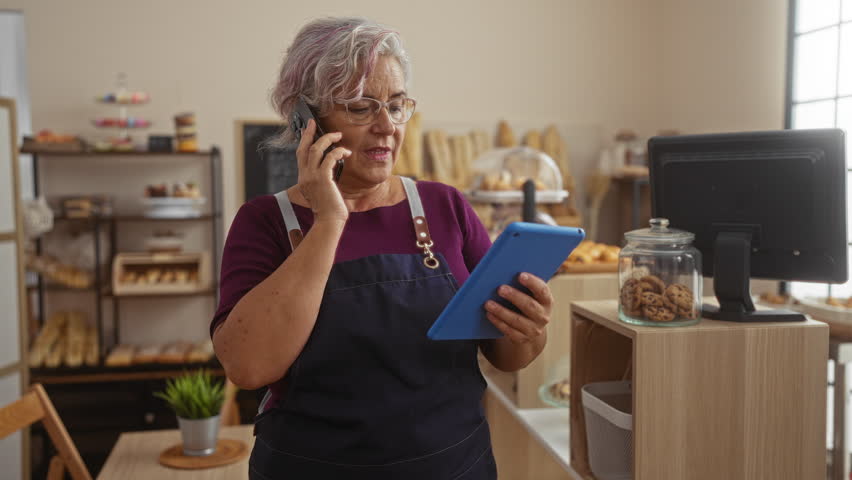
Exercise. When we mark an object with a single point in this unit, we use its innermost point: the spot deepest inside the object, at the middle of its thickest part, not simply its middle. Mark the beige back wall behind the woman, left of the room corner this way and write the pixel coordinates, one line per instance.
(576, 63)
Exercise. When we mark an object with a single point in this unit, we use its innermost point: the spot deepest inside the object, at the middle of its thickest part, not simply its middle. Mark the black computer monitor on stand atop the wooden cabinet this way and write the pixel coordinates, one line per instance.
(761, 204)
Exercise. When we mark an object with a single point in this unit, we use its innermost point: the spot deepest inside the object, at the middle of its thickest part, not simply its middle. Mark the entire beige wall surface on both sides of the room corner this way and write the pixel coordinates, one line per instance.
(591, 66)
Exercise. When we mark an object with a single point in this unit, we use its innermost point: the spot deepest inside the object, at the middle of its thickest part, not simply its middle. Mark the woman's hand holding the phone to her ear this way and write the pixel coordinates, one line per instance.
(316, 177)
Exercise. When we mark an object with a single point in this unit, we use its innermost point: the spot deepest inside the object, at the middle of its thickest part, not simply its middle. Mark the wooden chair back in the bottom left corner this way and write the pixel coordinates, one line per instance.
(36, 406)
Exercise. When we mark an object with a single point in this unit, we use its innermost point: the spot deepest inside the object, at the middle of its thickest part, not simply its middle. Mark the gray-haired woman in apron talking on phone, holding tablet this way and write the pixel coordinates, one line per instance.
(328, 289)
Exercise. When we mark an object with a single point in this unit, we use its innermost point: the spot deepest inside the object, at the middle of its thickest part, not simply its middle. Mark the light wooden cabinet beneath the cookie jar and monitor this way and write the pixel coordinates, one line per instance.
(715, 400)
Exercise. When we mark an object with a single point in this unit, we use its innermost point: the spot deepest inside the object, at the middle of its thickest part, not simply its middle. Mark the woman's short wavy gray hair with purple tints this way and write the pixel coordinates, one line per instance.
(330, 59)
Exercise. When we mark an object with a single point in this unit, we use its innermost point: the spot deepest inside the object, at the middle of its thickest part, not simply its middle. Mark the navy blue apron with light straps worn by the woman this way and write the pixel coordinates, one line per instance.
(370, 396)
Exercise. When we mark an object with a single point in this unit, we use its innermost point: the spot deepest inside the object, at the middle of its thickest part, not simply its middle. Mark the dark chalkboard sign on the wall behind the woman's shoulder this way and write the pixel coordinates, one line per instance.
(265, 170)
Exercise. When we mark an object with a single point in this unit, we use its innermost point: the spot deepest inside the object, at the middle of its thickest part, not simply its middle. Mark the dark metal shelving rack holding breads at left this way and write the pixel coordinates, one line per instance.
(110, 224)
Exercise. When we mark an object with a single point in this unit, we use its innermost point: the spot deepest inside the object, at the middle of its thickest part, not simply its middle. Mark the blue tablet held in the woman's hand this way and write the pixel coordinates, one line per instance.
(522, 247)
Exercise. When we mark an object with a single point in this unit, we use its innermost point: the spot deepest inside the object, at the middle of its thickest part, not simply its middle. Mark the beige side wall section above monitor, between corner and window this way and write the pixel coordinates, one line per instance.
(723, 64)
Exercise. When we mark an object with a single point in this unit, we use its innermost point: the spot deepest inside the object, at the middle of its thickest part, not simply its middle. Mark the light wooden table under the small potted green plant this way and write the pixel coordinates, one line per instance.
(135, 457)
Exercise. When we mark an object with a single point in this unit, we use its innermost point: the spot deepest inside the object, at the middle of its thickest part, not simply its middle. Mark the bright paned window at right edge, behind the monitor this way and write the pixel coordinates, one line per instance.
(819, 90)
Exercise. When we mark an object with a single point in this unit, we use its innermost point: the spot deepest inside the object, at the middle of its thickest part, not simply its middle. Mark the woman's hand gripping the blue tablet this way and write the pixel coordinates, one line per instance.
(535, 310)
